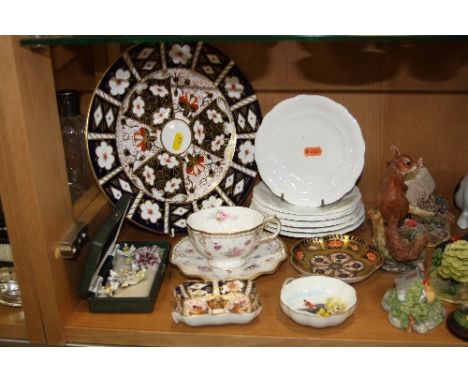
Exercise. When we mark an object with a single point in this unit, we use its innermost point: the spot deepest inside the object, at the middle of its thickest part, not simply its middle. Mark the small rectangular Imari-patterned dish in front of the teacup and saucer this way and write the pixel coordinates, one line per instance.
(201, 303)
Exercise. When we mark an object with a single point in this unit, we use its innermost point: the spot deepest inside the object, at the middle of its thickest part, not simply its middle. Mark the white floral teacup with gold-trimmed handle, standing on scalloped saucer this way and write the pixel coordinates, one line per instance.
(227, 235)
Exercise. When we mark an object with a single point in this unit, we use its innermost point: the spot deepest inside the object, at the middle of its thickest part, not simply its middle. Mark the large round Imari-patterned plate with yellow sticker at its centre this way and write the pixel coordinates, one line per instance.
(174, 125)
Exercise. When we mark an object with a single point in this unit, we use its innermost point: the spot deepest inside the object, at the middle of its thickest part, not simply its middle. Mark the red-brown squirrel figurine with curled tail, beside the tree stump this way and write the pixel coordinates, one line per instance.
(394, 206)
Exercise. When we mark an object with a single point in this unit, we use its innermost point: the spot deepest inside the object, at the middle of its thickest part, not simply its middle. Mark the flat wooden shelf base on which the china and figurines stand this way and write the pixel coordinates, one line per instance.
(367, 327)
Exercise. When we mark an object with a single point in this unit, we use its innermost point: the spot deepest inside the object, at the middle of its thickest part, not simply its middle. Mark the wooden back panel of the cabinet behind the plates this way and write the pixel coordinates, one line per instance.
(413, 94)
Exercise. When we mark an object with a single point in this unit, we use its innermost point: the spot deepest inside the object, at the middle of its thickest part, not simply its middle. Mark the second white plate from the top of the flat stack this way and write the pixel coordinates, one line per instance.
(285, 221)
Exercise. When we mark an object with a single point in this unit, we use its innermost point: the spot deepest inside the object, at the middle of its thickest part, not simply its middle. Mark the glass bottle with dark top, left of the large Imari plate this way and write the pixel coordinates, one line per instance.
(72, 123)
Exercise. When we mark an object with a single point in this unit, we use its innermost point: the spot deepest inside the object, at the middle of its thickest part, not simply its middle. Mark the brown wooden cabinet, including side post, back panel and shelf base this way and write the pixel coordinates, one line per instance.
(400, 91)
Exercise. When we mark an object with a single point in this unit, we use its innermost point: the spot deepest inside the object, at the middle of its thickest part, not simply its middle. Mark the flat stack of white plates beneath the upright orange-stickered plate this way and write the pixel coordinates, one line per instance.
(340, 217)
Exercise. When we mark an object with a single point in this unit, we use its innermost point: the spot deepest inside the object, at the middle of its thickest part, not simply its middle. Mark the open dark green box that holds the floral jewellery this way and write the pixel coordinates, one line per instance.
(101, 258)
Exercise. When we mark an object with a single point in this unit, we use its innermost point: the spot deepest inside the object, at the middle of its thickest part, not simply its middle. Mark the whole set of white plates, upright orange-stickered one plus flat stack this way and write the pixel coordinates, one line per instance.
(310, 153)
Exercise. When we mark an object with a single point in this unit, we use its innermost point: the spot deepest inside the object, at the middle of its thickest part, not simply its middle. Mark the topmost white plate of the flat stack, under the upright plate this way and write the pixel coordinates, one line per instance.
(263, 196)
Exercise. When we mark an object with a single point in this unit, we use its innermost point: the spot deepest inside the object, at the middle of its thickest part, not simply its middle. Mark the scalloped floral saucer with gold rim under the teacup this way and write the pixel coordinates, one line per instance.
(263, 260)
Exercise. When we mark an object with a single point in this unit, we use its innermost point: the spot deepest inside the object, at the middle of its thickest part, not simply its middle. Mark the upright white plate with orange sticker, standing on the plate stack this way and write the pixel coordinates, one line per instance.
(309, 149)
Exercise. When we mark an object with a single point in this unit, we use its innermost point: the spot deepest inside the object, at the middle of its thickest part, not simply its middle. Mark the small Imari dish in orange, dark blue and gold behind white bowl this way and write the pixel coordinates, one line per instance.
(344, 257)
